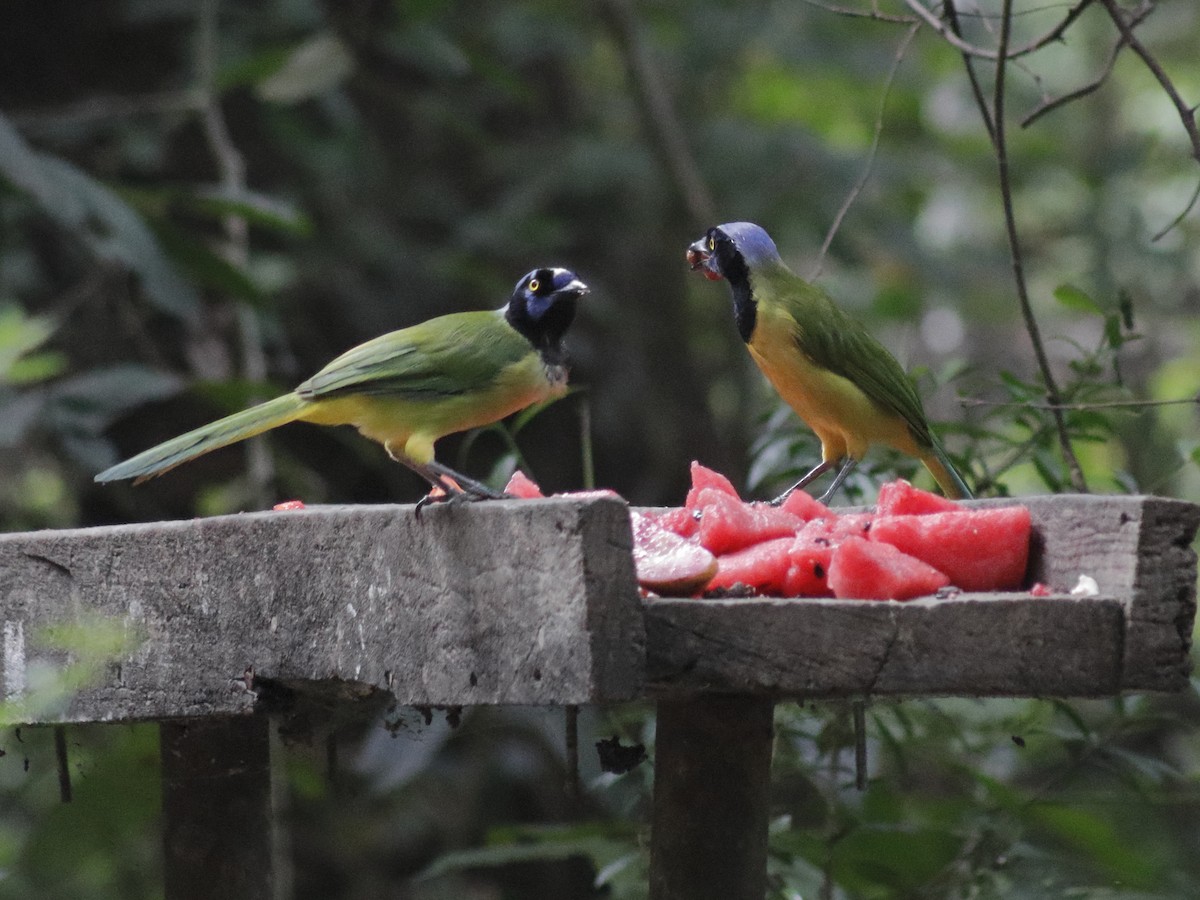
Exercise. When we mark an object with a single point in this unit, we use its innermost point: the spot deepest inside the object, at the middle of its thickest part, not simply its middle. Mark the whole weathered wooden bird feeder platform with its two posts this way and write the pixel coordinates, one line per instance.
(343, 610)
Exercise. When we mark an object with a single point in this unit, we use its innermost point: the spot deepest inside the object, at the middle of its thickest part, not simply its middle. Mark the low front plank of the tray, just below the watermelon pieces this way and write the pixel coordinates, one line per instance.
(979, 645)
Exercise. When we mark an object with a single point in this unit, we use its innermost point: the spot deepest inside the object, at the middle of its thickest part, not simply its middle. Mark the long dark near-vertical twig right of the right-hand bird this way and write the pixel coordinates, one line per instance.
(1015, 244)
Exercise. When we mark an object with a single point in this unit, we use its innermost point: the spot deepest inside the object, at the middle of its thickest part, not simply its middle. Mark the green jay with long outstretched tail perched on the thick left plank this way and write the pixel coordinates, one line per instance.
(410, 388)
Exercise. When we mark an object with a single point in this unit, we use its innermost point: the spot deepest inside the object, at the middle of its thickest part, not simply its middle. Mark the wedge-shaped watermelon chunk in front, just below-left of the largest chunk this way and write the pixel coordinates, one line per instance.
(869, 571)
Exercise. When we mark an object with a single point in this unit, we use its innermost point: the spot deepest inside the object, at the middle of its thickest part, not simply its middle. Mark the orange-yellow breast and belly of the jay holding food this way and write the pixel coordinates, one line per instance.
(842, 416)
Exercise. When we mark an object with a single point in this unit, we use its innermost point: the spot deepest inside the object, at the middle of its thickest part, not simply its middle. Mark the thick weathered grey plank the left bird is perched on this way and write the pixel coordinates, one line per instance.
(497, 603)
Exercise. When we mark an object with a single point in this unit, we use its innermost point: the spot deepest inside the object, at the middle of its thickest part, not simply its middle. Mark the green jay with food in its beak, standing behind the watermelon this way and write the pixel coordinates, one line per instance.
(826, 367)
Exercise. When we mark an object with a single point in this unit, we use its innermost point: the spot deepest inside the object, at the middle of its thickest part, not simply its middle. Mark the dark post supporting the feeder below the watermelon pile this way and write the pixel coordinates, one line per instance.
(712, 796)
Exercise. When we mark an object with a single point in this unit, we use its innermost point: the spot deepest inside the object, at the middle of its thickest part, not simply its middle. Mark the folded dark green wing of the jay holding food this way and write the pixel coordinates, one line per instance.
(838, 343)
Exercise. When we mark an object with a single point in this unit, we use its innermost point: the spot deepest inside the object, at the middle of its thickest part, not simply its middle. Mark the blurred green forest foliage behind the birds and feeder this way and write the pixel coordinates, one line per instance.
(203, 203)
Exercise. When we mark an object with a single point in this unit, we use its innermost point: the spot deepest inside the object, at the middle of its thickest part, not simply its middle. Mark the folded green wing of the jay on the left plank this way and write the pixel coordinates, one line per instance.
(449, 356)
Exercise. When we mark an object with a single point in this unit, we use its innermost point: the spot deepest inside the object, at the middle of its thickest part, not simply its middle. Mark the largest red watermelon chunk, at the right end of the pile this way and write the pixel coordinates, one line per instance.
(980, 550)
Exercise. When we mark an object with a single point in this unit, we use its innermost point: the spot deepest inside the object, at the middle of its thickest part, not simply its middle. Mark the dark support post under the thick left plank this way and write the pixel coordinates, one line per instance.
(217, 800)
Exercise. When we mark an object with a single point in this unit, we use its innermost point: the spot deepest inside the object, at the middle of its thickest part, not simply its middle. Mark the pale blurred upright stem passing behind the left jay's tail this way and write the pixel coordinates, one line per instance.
(232, 167)
